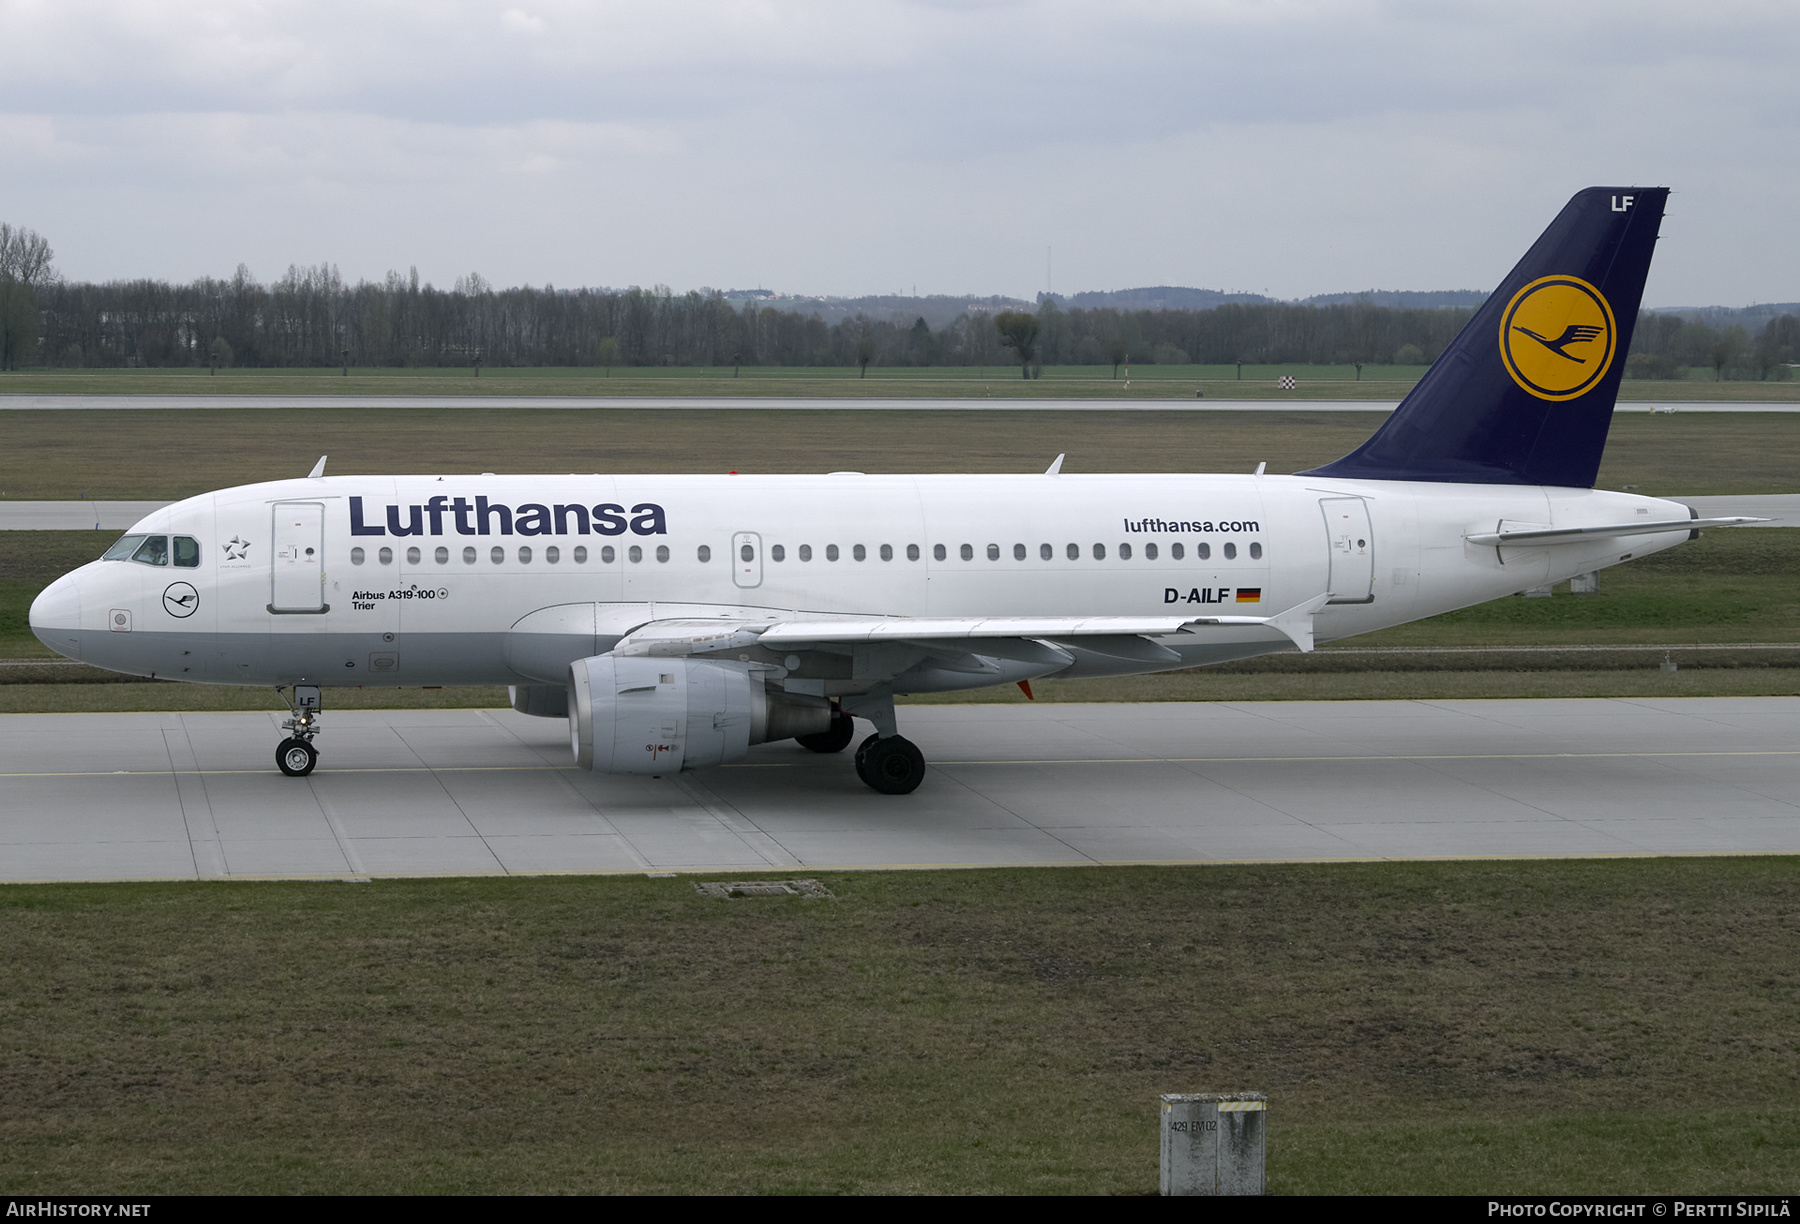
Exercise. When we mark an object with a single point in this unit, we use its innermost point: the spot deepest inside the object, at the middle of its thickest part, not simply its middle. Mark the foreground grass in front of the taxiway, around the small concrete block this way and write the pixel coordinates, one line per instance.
(1603, 1027)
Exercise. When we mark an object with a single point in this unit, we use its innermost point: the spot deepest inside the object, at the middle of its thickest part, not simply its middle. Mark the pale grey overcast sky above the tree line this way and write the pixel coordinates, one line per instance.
(868, 148)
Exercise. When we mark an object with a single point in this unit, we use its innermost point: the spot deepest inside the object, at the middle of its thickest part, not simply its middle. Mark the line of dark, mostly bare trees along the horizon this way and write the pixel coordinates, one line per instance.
(312, 318)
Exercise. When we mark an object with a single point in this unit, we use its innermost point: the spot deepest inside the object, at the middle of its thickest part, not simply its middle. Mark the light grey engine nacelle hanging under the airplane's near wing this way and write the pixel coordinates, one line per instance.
(658, 715)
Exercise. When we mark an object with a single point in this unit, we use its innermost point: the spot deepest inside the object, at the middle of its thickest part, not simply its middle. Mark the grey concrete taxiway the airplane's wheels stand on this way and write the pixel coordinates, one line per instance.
(487, 793)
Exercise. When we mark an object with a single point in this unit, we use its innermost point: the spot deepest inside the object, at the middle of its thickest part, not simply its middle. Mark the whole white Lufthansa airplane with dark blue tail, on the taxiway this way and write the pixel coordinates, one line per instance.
(678, 620)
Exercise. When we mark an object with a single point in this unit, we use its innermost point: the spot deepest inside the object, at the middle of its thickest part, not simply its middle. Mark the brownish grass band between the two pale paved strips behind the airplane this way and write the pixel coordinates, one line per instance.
(170, 454)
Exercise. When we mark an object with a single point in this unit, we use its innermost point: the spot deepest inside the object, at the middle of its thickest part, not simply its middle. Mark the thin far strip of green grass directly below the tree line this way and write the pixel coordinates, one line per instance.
(1147, 382)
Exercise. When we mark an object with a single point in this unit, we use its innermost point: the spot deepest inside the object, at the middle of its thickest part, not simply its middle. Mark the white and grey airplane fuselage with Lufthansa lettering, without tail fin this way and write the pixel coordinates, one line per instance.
(307, 582)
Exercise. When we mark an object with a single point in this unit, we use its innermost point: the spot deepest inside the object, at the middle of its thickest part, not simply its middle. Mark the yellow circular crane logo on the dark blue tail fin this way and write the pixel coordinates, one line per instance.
(1558, 337)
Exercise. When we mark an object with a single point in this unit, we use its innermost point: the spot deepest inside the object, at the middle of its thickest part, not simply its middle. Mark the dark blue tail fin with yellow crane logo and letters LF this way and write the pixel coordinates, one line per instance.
(1525, 393)
